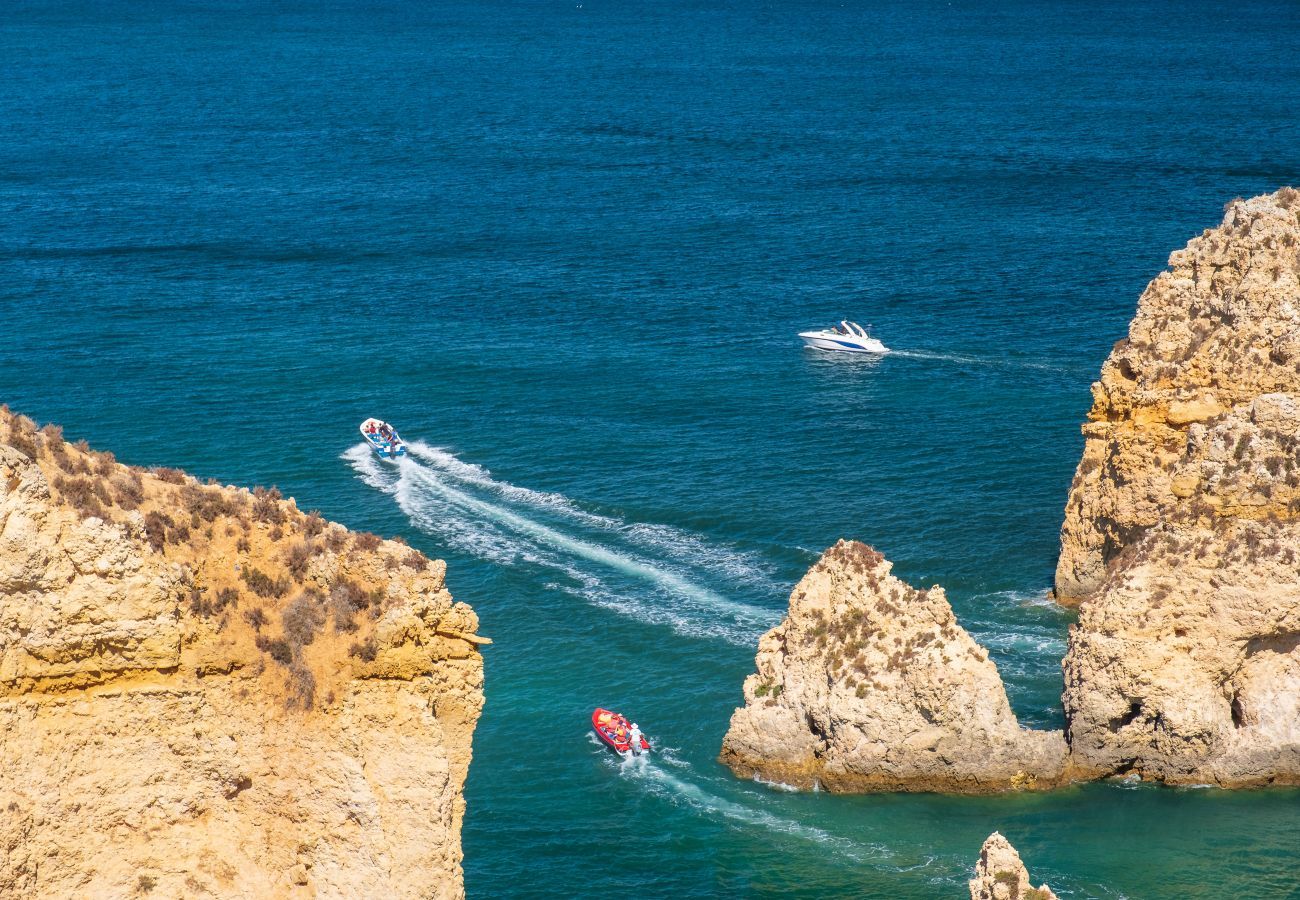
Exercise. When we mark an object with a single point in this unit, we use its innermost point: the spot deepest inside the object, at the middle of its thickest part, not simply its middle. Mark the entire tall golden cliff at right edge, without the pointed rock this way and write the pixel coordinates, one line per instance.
(1182, 531)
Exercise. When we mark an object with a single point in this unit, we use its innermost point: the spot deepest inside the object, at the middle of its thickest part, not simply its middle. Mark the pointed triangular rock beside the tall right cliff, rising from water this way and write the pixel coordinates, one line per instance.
(872, 686)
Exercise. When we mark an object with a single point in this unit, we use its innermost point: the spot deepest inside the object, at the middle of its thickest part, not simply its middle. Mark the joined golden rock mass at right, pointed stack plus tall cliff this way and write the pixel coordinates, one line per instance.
(1181, 542)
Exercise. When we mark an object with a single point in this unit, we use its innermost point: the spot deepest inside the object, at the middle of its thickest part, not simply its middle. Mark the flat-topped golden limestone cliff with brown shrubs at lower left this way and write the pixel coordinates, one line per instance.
(205, 693)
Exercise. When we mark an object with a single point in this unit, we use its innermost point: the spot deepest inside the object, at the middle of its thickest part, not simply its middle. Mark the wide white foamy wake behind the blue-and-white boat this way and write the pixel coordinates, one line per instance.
(651, 573)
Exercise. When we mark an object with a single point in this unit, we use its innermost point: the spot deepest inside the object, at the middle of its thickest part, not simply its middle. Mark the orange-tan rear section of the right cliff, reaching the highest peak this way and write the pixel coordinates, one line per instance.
(1216, 331)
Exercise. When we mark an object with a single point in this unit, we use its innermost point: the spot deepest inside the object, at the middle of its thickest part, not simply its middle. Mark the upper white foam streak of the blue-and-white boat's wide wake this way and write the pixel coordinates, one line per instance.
(681, 546)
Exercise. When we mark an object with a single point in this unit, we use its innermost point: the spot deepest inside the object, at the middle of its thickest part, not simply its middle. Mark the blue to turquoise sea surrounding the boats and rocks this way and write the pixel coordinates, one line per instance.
(566, 249)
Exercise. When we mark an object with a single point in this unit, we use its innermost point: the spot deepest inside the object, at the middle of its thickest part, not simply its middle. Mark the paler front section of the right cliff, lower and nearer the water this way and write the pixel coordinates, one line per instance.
(1185, 665)
